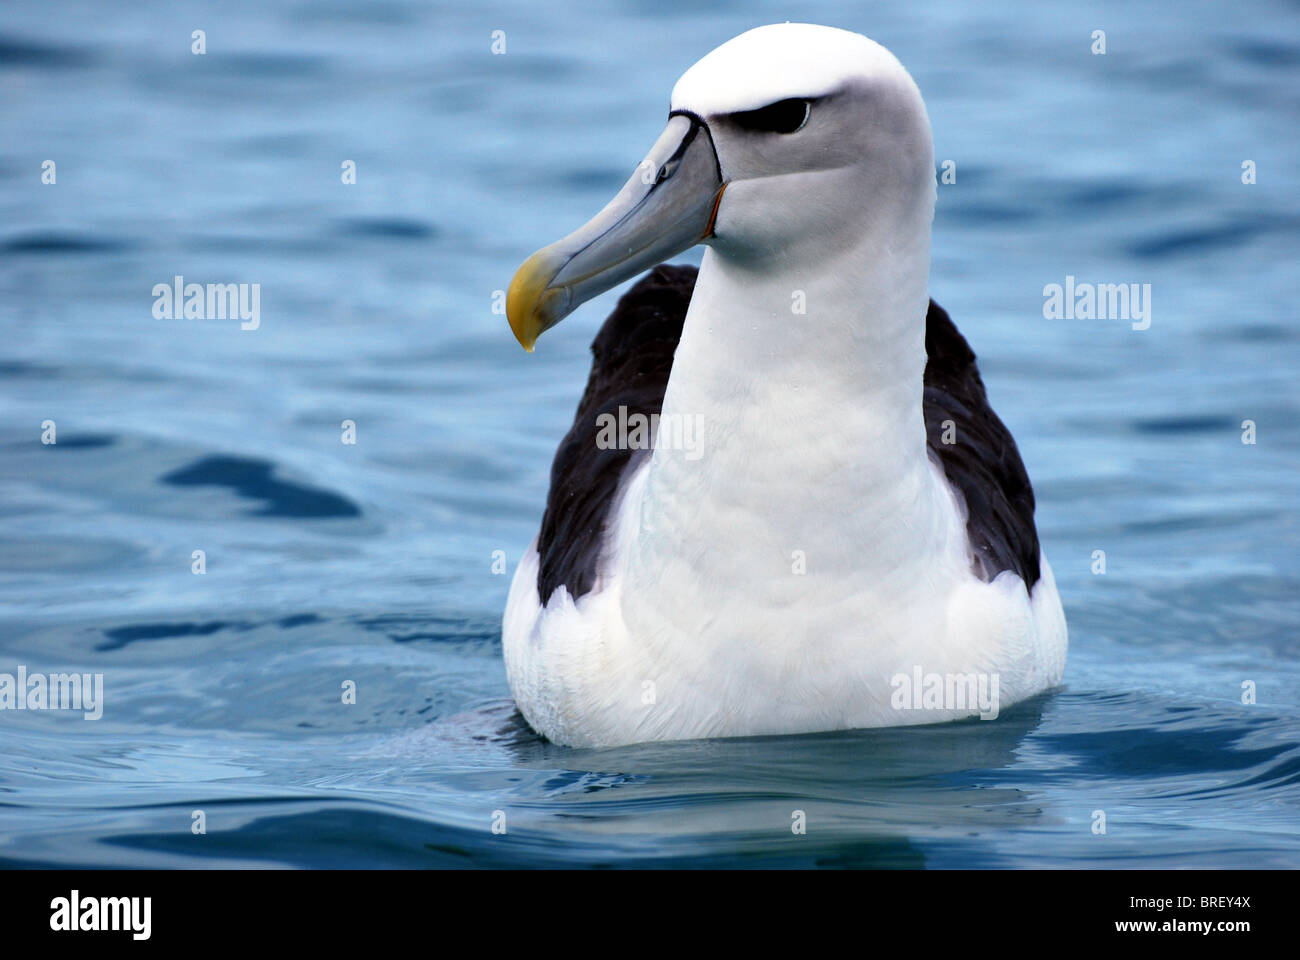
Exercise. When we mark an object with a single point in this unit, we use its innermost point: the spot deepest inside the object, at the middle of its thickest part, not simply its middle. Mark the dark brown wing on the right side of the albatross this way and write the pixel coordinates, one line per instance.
(983, 462)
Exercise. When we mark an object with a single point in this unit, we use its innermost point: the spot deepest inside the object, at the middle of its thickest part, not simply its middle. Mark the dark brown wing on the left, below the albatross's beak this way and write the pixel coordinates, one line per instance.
(632, 361)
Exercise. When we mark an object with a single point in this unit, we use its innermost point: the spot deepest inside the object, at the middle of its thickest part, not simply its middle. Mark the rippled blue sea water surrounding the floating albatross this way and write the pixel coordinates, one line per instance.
(374, 563)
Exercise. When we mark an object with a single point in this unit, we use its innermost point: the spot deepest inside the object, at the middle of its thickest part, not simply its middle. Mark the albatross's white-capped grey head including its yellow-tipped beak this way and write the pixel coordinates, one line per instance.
(785, 144)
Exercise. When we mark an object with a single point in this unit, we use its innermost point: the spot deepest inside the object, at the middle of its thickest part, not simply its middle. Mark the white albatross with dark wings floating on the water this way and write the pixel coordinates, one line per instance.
(853, 516)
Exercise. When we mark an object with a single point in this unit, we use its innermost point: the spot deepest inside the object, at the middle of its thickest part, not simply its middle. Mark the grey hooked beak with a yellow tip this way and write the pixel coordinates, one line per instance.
(669, 206)
